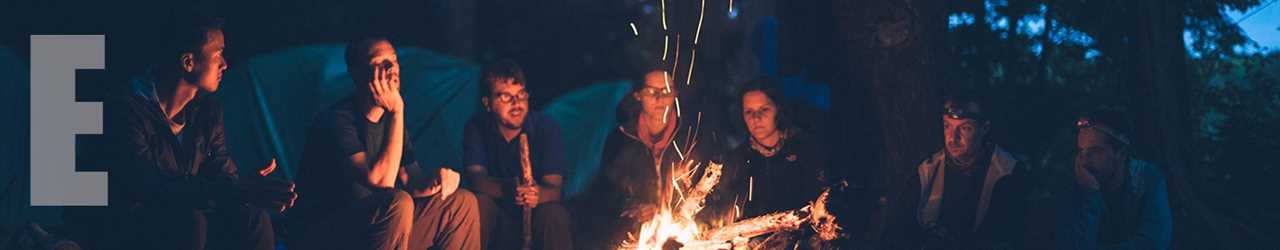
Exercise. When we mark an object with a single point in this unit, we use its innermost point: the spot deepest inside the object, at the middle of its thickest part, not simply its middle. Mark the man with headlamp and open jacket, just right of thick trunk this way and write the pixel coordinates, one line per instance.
(972, 194)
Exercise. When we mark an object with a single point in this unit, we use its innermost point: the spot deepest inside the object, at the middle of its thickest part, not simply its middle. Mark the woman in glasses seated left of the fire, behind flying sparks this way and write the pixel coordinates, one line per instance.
(637, 162)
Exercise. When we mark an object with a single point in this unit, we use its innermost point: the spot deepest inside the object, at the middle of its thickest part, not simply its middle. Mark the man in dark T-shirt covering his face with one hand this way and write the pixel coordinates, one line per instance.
(360, 185)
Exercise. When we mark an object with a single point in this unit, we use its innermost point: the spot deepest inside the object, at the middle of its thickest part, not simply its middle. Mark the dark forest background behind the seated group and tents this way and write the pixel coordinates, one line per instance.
(868, 74)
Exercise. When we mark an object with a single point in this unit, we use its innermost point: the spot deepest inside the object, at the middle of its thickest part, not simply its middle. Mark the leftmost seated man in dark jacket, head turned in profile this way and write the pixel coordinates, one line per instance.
(175, 180)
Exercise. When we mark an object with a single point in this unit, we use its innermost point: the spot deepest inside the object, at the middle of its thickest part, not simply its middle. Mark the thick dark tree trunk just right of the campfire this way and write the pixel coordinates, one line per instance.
(892, 49)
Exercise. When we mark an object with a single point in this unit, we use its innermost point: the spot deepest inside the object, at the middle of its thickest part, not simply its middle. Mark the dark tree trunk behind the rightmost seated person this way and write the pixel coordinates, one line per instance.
(1159, 92)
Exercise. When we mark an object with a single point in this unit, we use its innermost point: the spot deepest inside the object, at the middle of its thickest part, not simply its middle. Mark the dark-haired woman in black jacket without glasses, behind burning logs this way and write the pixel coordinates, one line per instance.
(779, 169)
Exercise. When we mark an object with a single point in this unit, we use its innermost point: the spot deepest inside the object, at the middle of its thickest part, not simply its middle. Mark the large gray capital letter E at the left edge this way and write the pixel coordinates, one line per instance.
(57, 119)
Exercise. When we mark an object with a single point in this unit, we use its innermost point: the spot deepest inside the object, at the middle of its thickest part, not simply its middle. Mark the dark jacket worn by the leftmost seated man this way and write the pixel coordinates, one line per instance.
(153, 167)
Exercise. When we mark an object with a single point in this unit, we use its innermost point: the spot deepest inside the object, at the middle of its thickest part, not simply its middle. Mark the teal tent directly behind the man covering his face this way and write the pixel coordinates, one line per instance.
(272, 101)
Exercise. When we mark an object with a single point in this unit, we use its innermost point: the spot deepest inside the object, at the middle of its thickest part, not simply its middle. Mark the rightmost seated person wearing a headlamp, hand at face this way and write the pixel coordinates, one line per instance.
(1123, 202)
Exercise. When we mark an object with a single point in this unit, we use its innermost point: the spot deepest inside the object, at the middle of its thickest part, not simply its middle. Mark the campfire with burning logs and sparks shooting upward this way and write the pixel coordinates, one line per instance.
(674, 225)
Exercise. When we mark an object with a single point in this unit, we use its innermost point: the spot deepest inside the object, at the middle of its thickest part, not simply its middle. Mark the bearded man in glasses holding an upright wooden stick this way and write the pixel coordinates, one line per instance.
(491, 152)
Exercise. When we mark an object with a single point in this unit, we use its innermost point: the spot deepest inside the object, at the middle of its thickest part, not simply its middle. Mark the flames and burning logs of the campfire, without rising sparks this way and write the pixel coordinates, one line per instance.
(674, 226)
